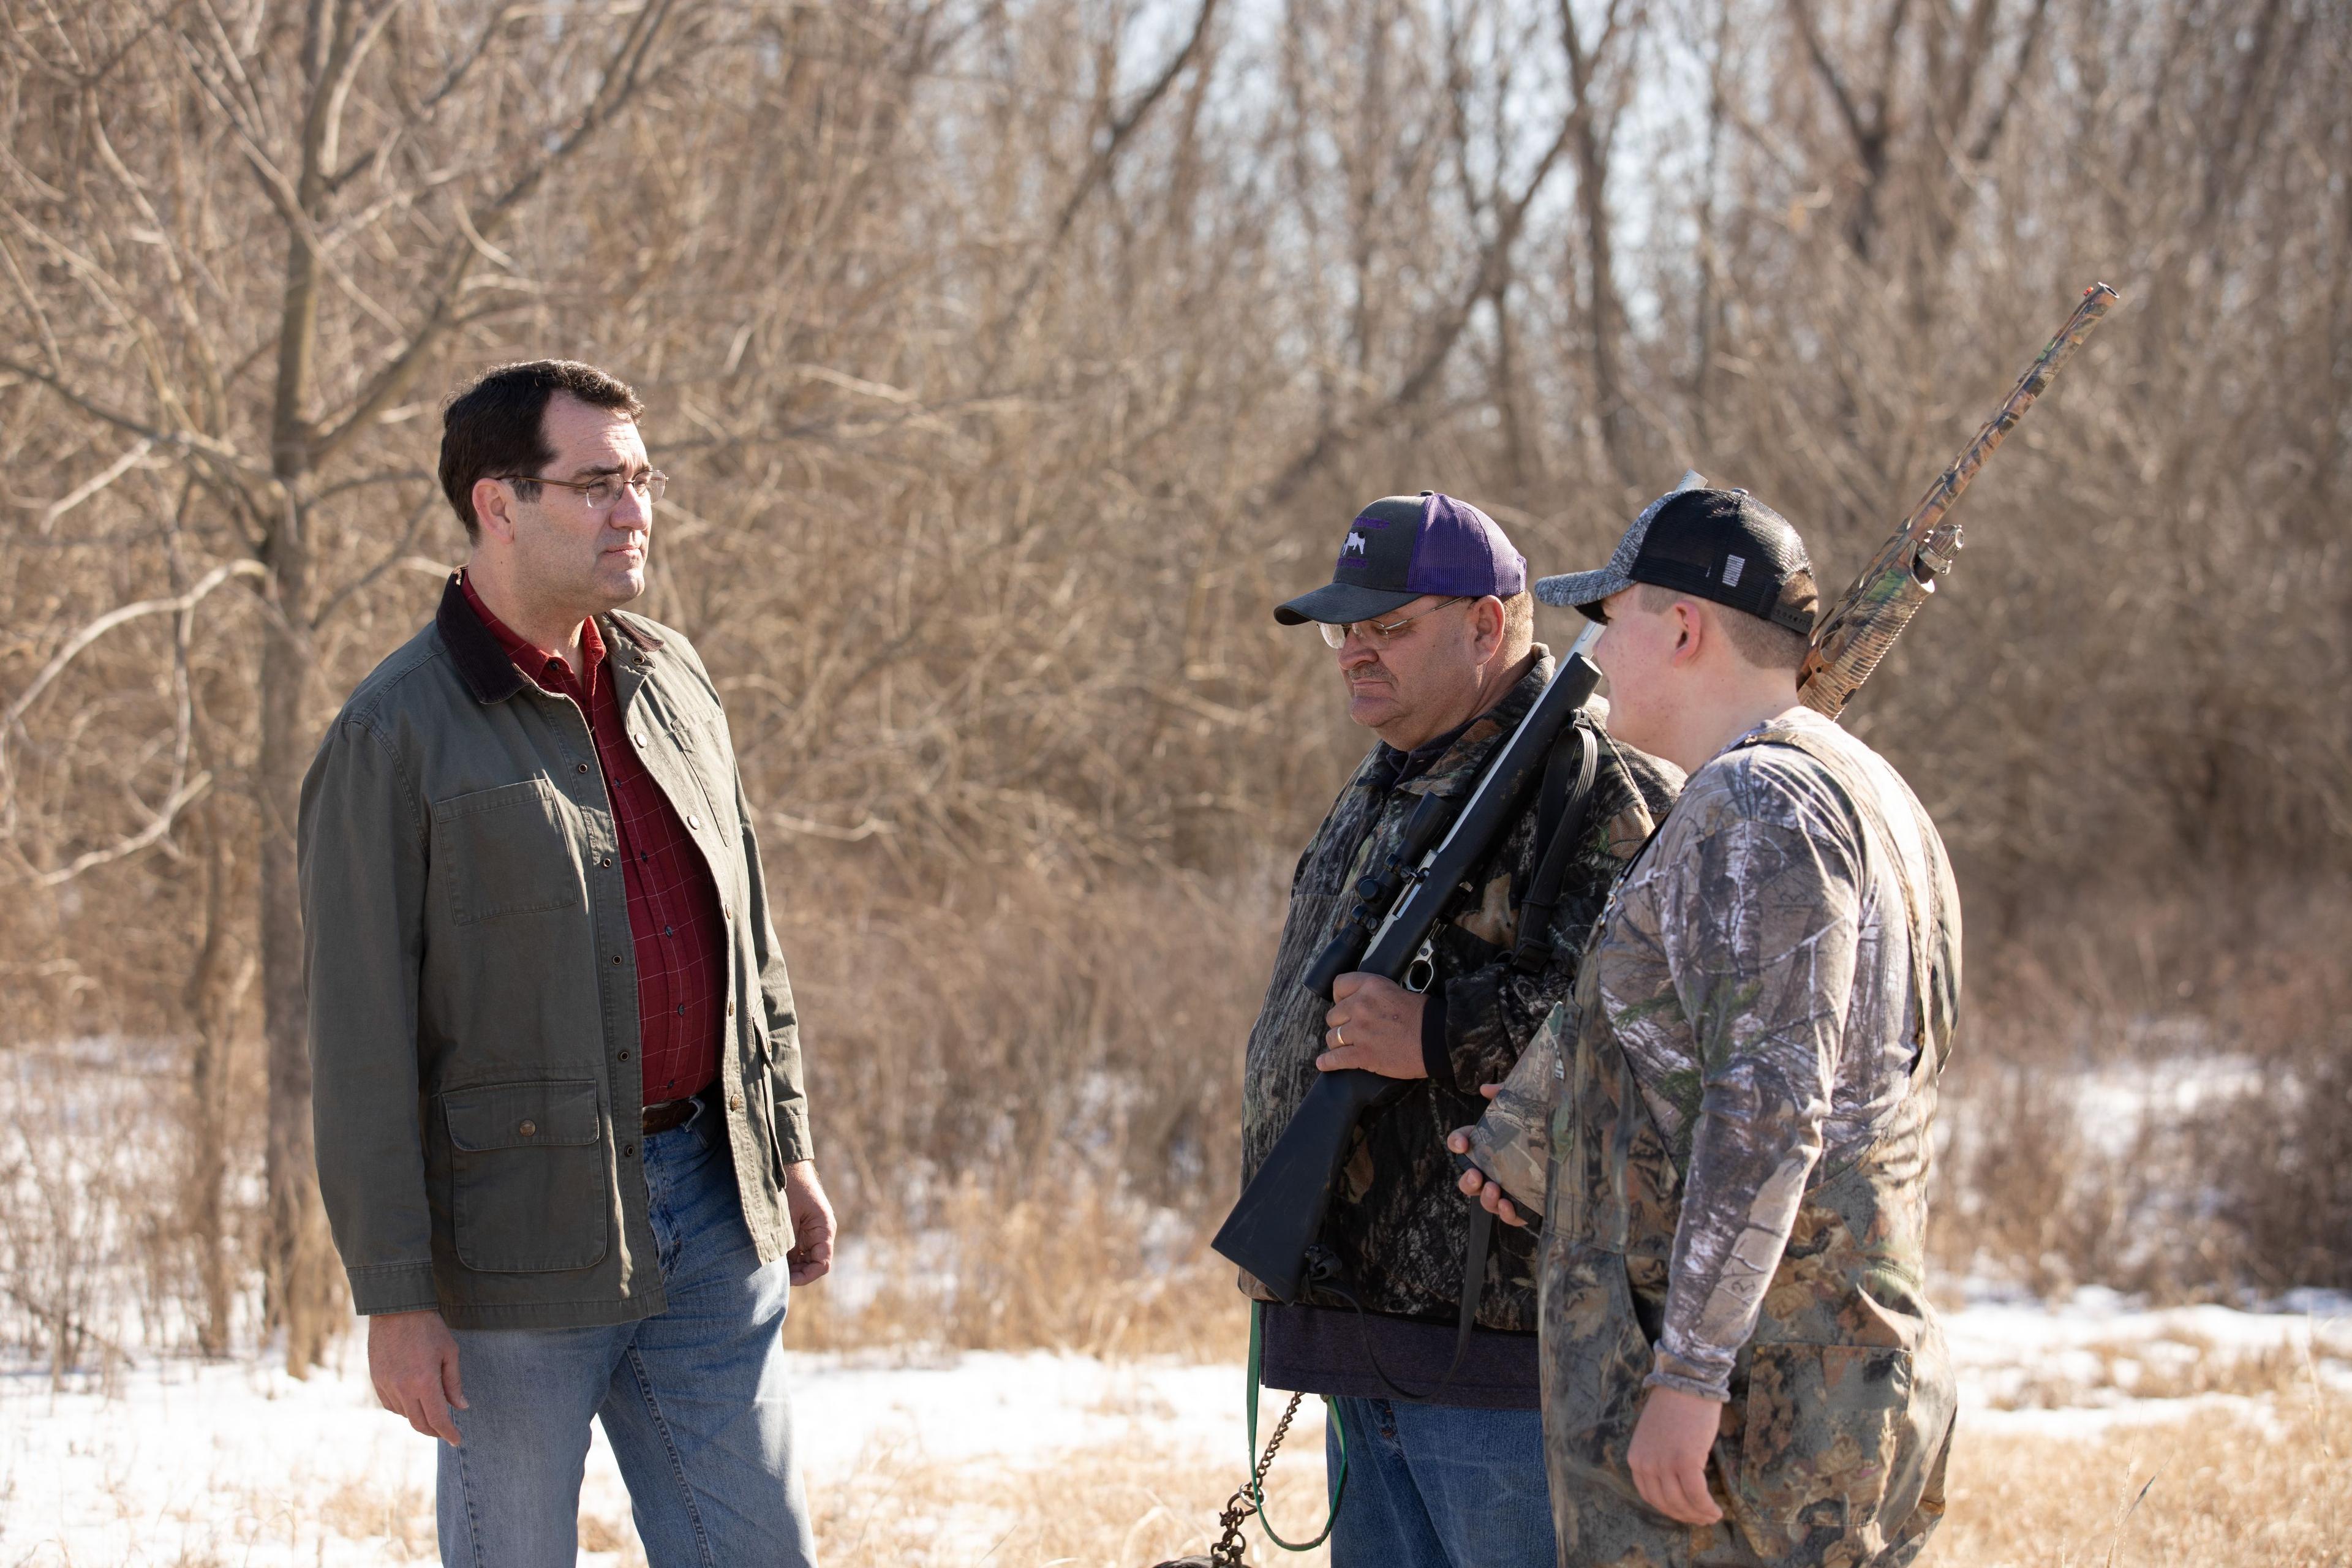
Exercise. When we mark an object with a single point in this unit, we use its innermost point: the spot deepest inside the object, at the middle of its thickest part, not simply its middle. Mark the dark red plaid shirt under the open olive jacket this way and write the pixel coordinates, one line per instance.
(674, 909)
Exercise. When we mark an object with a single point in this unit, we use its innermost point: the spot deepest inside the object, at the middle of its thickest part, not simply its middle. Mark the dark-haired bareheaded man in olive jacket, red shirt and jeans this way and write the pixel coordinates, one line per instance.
(556, 1066)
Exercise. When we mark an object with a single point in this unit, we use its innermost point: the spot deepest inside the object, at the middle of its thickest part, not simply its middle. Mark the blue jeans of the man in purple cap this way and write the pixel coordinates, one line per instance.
(1441, 1487)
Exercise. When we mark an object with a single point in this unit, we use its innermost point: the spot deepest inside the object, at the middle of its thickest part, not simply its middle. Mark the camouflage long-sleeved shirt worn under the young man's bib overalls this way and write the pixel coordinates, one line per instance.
(1758, 970)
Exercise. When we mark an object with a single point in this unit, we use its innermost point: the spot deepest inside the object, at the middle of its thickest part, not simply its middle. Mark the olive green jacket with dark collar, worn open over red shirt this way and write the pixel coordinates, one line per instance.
(474, 989)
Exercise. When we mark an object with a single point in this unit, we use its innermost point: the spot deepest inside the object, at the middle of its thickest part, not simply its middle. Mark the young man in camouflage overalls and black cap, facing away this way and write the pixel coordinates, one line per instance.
(1744, 1097)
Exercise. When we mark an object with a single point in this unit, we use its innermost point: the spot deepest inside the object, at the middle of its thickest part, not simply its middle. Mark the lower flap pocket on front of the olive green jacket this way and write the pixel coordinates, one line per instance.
(528, 1177)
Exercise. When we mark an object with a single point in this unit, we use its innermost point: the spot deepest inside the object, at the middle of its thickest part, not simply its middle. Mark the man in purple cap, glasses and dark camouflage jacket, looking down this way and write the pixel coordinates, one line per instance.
(1431, 626)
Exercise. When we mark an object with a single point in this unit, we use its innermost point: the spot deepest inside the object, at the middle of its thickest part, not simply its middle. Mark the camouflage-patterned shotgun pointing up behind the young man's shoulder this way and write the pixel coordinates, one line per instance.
(1866, 622)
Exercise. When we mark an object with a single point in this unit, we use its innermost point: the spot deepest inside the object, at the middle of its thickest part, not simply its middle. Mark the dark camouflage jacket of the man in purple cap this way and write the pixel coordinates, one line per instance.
(1398, 1221)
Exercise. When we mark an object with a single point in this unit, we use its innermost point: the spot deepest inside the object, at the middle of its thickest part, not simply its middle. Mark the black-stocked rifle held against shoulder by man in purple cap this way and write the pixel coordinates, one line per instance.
(1283, 1209)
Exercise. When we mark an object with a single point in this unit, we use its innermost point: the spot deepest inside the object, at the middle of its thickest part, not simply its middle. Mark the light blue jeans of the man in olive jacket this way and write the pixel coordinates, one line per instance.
(693, 1402)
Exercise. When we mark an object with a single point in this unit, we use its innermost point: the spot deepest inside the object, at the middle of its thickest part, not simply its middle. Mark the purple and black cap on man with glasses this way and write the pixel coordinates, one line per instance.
(1405, 547)
